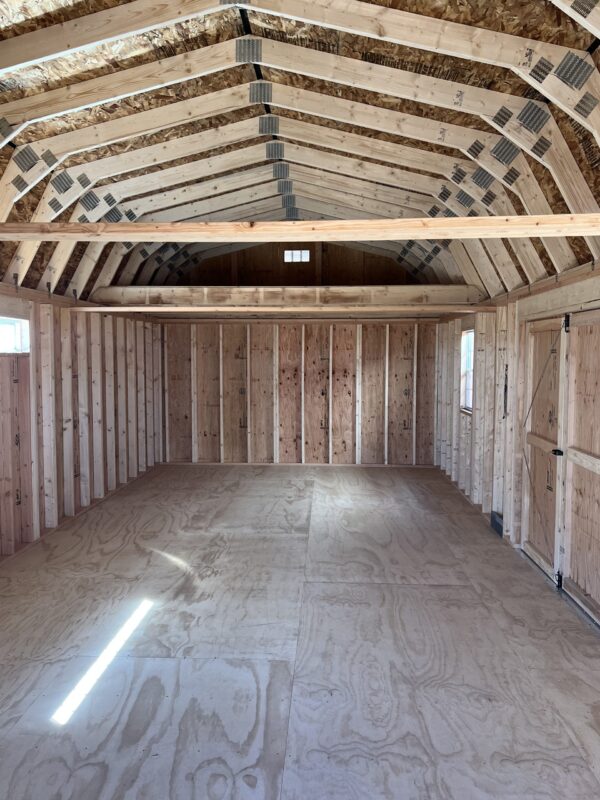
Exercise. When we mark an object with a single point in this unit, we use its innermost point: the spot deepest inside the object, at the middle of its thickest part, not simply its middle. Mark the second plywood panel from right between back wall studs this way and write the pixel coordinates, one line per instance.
(400, 393)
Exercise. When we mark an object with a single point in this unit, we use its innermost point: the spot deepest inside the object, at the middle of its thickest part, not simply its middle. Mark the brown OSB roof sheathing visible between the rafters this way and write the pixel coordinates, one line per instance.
(536, 18)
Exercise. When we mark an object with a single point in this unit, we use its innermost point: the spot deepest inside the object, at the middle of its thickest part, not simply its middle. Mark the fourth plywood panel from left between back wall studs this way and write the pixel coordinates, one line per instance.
(262, 417)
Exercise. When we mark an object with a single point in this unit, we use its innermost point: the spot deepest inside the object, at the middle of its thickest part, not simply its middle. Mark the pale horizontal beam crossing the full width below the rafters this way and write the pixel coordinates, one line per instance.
(549, 225)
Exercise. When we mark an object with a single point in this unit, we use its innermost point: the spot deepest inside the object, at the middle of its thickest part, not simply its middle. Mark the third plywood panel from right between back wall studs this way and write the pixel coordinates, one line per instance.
(373, 394)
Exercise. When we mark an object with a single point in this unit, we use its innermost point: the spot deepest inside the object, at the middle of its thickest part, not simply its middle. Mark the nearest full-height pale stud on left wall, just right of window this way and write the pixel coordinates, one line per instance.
(47, 368)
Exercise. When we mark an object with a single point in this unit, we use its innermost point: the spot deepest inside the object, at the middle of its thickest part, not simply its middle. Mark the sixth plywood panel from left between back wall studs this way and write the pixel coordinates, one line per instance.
(316, 393)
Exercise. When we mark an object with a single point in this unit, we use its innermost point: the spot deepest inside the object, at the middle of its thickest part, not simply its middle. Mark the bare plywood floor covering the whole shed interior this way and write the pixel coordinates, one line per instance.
(315, 634)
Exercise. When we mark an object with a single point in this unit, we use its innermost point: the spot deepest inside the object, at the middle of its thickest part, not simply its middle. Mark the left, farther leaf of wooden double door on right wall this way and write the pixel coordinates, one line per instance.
(541, 444)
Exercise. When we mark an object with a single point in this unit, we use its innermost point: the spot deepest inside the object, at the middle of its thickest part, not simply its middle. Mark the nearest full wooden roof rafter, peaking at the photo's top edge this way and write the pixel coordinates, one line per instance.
(547, 67)
